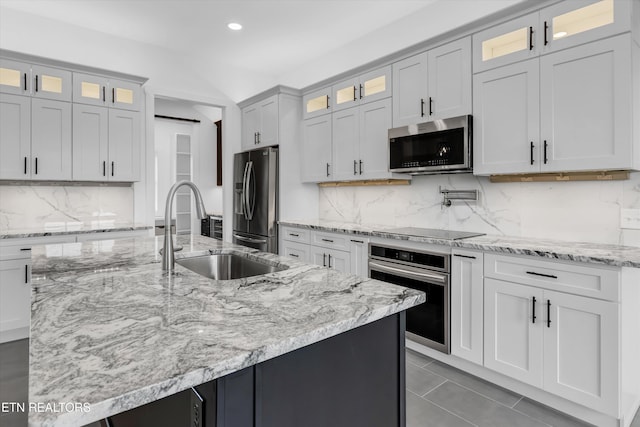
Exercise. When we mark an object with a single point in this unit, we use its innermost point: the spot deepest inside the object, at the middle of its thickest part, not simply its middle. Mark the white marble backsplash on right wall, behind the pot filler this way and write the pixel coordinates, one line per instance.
(587, 211)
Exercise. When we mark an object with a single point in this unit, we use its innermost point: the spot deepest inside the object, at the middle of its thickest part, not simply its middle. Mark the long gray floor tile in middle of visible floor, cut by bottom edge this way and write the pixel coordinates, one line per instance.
(482, 411)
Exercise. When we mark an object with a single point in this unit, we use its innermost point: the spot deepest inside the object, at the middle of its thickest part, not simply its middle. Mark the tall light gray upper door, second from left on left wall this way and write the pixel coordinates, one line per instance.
(50, 140)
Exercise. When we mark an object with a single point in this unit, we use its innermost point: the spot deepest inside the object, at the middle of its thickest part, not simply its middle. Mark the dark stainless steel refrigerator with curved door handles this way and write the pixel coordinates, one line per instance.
(255, 199)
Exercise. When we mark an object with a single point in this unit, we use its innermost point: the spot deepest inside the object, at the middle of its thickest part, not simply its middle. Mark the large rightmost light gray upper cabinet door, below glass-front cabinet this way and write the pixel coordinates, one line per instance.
(586, 119)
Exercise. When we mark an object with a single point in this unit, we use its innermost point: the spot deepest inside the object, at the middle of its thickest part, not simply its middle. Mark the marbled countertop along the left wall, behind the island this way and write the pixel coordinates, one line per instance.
(72, 227)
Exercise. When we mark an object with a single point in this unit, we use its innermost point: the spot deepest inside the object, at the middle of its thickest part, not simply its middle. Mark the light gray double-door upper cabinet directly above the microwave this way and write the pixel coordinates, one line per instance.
(433, 85)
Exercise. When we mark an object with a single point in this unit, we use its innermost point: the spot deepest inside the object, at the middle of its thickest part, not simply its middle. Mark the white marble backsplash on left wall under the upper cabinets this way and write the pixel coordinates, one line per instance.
(53, 206)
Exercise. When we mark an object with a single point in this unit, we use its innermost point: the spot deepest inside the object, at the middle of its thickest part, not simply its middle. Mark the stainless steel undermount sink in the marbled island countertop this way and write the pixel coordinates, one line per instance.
(227, 266)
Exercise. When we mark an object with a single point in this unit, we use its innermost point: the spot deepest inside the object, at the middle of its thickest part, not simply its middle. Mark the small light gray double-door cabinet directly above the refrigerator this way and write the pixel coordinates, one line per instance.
(260, 124)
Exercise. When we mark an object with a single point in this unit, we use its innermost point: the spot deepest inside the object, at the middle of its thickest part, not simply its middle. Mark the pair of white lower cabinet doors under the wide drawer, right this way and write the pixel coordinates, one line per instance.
(563, 343)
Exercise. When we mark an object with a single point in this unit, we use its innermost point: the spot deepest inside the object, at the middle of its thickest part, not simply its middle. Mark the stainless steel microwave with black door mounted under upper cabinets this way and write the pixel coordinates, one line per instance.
(440, 146)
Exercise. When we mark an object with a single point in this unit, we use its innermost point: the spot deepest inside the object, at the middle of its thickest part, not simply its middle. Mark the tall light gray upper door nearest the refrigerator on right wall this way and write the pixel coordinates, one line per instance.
(316, 151)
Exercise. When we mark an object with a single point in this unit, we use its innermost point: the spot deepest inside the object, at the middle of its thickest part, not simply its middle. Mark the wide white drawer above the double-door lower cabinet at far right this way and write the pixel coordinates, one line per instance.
(579, 279)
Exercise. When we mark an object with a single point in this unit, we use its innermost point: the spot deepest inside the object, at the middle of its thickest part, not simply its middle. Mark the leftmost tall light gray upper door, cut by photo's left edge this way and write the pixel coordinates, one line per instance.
(15, 136)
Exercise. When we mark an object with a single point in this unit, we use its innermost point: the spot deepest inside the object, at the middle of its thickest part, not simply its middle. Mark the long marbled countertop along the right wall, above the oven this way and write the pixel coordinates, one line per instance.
(595, 253)
